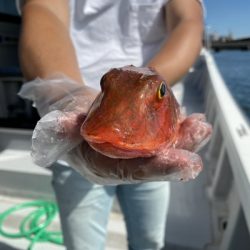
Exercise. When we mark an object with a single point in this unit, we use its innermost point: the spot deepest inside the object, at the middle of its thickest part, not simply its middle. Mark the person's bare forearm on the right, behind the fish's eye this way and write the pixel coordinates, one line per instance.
(185, 26)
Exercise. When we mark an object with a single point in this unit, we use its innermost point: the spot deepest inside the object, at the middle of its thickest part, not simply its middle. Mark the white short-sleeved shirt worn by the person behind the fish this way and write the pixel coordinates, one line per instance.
(114, 33)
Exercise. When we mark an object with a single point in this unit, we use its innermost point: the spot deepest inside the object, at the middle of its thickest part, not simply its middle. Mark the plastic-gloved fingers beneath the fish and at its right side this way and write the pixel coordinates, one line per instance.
(170, 164)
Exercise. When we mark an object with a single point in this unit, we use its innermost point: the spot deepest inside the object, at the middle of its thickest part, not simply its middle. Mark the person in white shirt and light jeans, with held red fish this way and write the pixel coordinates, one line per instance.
(100, 132)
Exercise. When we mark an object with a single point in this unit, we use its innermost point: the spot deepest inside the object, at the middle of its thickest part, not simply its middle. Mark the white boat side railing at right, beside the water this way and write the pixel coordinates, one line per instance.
(228, 160)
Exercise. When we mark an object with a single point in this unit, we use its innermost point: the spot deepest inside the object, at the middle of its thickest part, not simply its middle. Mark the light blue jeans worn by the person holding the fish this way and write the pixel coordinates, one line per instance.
(85, 207)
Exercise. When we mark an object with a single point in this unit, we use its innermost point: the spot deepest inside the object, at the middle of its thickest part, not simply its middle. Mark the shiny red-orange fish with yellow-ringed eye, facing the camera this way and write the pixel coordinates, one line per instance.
(135, 115)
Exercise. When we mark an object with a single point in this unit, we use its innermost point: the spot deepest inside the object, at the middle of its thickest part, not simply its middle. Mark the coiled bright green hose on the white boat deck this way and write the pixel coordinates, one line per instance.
(33, 226)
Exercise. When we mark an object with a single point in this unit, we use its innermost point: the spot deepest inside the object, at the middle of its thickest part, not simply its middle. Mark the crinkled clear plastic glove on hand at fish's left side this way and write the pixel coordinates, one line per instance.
(63, 104)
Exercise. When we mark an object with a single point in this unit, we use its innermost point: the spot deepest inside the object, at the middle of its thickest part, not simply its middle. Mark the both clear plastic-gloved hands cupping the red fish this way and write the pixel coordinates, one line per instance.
(58, 133)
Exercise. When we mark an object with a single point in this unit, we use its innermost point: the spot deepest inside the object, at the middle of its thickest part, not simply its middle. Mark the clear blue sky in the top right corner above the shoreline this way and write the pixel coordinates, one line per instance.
(224, 16)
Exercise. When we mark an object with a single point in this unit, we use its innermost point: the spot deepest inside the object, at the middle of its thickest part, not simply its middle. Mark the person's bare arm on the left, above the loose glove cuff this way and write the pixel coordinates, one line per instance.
(45, 46)
